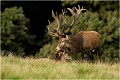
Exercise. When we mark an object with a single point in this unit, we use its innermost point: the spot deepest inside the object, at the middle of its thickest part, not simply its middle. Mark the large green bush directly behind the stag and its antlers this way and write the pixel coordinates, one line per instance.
(104, 20)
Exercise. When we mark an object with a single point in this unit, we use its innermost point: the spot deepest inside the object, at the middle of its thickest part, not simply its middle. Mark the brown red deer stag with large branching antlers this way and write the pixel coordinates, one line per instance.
(81, 42)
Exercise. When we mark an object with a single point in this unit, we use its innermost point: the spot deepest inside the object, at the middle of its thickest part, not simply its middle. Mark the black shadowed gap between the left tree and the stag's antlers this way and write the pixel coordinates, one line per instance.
(38, 12)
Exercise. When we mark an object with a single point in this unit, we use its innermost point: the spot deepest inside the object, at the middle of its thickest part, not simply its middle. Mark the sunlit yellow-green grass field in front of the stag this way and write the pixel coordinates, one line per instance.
(29, 68)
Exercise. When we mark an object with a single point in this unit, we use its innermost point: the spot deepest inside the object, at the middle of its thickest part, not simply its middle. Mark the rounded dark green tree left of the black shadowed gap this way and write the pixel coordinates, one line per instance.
(15, 35)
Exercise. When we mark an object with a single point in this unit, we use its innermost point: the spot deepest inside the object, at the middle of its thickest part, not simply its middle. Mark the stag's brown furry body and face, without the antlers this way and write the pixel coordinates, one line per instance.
(82, 42)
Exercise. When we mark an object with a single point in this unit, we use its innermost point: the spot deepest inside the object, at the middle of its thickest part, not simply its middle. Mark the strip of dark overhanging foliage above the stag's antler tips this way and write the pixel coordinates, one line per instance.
(93, 5)
